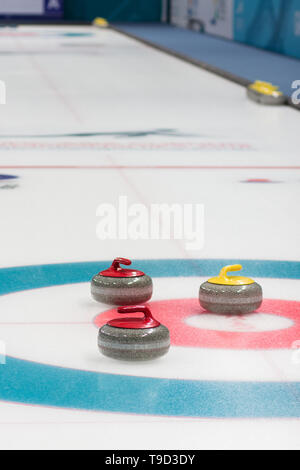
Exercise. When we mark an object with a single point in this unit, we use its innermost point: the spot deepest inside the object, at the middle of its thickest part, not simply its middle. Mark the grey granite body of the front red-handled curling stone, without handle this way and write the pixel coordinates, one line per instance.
(131, 344)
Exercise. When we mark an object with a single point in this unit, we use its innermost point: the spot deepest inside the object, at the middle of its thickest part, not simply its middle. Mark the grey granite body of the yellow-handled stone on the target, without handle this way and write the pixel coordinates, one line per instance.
(226, 299)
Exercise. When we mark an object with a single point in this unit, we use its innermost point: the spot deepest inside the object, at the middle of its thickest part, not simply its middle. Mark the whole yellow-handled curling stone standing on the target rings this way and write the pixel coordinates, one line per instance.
(230, 294)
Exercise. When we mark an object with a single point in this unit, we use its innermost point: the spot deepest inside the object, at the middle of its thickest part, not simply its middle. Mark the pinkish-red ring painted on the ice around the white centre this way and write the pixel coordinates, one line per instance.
(173, 313)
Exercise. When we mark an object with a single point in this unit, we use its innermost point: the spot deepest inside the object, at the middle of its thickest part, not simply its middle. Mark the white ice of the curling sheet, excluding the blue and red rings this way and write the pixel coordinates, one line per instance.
(60, 85)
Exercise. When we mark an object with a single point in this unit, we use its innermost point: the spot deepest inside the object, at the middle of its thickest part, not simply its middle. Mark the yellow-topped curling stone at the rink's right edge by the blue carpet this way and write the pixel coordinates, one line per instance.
(265, 93)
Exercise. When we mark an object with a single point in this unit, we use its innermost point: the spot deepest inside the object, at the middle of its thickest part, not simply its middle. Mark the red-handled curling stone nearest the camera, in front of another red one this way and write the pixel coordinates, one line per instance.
(134, 339)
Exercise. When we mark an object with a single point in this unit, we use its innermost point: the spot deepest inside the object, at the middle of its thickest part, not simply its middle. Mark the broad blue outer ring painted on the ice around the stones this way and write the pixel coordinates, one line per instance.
(39, 384)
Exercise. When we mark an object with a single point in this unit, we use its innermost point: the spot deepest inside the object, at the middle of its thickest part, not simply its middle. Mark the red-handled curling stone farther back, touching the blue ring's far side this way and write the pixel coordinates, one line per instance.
(120, 286)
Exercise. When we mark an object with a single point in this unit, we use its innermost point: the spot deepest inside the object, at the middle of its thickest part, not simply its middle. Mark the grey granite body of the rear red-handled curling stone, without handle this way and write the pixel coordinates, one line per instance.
(121, 290)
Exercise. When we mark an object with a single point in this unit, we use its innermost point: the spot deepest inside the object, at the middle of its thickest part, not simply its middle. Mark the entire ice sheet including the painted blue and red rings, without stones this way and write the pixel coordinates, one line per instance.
(92, 115)
